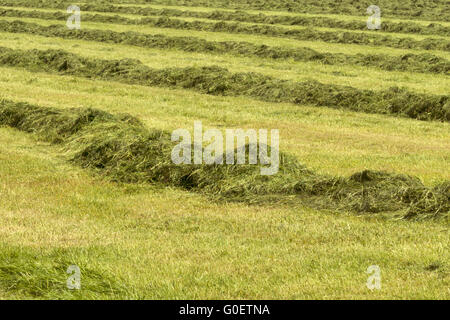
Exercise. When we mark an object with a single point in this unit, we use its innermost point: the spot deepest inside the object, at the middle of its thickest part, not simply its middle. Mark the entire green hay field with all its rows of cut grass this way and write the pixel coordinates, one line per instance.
(156, 239)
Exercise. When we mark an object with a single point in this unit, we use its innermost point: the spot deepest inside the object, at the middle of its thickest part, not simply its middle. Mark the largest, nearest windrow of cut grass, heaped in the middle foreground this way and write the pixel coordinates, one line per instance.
(121, 148)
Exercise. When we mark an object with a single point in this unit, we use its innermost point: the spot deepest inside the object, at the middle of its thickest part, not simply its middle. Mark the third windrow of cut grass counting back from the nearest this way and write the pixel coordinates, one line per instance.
(423, 63)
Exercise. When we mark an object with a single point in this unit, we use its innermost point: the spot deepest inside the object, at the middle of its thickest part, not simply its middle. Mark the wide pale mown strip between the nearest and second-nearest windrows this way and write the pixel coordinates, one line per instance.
(326, 140)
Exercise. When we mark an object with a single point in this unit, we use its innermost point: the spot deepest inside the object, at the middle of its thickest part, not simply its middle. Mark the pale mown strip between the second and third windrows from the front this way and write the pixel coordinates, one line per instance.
(286, 69)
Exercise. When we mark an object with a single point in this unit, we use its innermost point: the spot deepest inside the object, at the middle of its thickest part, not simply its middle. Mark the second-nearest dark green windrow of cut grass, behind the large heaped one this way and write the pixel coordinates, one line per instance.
(215, 80)
